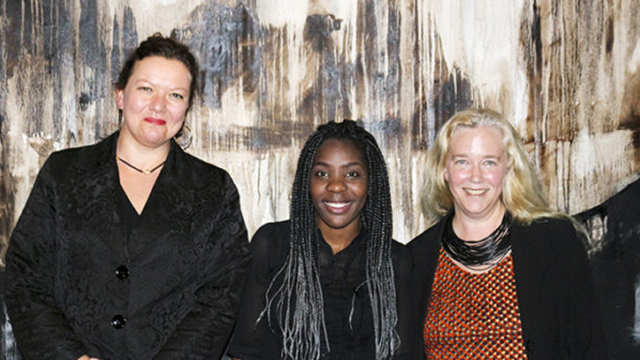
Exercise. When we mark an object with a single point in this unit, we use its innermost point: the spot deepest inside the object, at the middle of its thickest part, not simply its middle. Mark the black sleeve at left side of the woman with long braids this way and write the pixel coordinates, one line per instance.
(254, 339)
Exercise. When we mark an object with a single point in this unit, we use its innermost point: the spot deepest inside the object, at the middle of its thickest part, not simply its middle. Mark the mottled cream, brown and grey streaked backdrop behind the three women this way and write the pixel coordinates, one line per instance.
(567, 73)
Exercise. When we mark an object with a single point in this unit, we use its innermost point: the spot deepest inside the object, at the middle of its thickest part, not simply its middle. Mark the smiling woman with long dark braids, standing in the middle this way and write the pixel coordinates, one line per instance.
(325, 284)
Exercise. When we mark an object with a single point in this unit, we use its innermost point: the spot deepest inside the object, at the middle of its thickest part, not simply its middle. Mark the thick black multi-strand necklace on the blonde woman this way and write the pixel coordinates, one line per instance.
(485, 253)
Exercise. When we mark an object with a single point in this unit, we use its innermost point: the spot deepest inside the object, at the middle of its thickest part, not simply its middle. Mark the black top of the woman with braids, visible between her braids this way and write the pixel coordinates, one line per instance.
(347, 309)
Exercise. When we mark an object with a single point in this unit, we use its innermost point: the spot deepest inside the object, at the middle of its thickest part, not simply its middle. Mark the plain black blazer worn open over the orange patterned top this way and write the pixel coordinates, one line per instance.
(555, 287)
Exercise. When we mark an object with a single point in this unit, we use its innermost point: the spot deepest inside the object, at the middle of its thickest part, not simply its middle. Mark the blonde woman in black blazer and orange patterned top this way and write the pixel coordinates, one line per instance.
(500, 275)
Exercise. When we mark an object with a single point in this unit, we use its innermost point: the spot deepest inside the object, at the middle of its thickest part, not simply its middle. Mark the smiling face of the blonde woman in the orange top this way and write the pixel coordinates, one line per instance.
(475, 167)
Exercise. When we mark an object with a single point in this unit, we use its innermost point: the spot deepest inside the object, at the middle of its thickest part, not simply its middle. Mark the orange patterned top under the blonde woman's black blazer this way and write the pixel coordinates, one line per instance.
(473, 316)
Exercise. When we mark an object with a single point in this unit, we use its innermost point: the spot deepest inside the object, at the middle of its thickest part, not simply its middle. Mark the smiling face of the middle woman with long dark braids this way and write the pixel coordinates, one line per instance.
(339, 186)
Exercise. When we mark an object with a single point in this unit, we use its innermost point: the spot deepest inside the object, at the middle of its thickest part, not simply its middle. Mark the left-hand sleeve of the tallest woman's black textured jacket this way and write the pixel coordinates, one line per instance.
(39, 326)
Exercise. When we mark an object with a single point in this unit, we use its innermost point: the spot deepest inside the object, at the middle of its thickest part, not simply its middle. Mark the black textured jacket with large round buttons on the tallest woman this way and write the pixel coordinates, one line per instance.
(72, 277)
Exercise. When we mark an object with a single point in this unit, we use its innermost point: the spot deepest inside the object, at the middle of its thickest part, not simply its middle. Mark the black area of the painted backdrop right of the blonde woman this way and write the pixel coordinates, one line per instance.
(615, 227)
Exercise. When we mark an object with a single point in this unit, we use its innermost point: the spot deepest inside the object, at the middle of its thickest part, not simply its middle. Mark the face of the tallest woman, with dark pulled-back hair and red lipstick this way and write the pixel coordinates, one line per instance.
(155, 100)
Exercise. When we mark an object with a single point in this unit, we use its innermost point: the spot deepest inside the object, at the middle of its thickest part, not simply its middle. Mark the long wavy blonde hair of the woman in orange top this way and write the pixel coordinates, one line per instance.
(522, 192)
